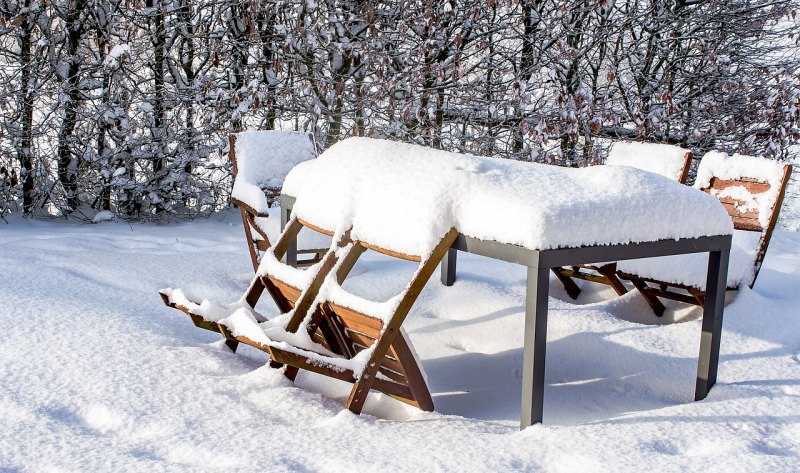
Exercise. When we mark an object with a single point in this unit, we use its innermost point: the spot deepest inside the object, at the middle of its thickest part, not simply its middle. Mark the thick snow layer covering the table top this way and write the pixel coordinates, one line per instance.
(406, 197)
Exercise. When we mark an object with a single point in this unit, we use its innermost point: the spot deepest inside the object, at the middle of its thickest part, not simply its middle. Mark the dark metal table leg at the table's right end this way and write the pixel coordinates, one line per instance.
(716, 282)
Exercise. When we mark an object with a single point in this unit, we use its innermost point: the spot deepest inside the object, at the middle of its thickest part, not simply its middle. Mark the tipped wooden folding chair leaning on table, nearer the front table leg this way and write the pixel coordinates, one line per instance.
(386, 359)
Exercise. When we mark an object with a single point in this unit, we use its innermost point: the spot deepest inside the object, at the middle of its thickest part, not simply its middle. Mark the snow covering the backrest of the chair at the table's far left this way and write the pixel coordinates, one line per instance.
(263, 158)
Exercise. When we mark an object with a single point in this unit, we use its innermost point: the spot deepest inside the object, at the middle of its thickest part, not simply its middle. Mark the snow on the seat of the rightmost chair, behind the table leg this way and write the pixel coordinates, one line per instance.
(691, 269)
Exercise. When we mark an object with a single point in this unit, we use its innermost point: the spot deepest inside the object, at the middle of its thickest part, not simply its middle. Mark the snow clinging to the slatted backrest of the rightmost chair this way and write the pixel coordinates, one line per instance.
(722, 166)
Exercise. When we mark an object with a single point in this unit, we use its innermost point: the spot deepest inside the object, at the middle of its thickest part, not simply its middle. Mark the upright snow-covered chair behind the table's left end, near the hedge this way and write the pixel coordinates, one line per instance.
(261, 160)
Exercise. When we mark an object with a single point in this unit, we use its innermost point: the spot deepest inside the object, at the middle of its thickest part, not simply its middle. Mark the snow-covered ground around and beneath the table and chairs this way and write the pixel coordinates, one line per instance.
(96, 374)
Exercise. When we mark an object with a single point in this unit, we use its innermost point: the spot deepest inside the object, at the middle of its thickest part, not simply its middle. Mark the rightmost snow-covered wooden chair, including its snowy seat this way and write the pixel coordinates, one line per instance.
(751, 189)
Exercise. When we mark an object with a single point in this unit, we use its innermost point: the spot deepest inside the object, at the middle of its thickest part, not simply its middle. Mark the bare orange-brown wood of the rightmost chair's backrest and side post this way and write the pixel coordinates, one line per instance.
(749, 219)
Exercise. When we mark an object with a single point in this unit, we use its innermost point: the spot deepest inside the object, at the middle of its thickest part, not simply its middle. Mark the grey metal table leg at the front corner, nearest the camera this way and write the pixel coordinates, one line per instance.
(535, 345)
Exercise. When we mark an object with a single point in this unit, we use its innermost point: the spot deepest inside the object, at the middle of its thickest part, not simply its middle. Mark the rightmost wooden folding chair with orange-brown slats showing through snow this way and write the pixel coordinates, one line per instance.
(746, 220)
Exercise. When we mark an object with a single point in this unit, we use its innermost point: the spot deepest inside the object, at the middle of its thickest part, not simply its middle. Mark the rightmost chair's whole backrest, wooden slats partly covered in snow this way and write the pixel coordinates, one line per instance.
(750, 188)
